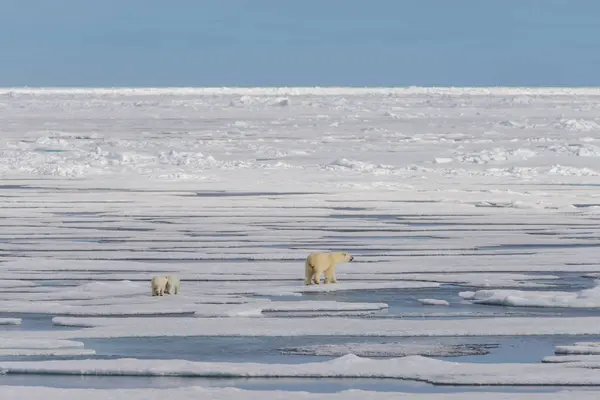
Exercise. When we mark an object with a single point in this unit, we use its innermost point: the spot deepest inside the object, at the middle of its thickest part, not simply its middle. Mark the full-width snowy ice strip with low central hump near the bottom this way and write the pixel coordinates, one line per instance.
(348, 366)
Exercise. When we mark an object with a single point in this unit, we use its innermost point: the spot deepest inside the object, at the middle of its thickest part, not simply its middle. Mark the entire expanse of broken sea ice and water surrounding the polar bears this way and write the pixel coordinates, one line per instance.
(456, 221)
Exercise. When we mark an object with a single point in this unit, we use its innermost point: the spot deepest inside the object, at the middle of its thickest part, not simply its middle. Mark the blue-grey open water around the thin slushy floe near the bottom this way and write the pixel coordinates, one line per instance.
(262, 349)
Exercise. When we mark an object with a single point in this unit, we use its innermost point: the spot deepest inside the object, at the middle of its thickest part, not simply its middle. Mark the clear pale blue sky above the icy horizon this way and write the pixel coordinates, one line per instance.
(299, 43)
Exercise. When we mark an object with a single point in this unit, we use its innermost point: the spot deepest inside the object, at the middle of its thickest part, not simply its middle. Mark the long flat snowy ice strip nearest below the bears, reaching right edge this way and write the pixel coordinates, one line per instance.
(320, 326)
